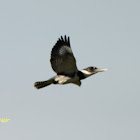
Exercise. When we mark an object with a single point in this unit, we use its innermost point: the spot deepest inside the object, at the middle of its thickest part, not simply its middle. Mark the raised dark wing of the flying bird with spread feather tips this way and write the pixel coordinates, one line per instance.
(62, 58)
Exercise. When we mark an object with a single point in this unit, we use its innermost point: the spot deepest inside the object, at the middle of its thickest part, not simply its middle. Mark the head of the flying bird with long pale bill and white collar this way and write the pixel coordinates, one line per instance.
(91, 70)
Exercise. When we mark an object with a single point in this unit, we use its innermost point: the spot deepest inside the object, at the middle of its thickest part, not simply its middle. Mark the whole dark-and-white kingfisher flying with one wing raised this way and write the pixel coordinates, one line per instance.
(64, 64)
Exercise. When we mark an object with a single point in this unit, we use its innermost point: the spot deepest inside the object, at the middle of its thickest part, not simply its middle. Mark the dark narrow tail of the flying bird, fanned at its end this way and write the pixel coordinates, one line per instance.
(42, 84)
